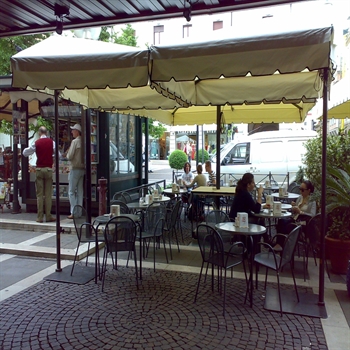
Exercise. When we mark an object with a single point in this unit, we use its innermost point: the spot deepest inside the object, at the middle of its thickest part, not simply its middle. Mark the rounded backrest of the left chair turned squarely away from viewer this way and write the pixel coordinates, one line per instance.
(120, 234)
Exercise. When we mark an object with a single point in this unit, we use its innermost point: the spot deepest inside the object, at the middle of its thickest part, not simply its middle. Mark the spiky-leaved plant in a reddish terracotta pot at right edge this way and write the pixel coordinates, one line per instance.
(338, 218)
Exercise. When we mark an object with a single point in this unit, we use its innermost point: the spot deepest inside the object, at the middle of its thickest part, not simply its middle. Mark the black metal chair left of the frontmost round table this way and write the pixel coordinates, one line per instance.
(212, 250)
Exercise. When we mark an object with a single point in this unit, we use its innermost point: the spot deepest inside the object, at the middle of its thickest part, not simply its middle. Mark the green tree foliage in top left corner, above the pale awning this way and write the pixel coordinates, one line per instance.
(11, 45)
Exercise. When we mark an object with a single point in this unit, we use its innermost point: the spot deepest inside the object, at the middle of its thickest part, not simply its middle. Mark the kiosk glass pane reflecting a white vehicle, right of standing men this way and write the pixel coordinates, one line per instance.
(122, 143)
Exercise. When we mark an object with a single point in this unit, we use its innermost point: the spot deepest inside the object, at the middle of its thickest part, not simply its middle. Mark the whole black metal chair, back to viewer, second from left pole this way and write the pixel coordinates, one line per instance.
(119, 236)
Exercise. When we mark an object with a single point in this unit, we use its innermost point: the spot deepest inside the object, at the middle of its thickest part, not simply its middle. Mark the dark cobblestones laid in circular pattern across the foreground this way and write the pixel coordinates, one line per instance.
(160, 315)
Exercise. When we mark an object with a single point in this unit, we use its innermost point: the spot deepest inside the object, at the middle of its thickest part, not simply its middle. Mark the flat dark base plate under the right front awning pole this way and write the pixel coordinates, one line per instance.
(307, 305)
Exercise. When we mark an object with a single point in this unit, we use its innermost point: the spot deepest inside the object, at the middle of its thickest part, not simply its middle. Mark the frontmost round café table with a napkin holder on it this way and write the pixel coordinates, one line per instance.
(254, 232)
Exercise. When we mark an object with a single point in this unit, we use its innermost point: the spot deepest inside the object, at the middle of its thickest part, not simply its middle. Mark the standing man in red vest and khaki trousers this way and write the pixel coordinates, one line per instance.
(44, 148)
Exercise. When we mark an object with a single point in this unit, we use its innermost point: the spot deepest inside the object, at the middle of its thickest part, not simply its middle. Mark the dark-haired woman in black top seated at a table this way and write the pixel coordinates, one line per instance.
(243, 200)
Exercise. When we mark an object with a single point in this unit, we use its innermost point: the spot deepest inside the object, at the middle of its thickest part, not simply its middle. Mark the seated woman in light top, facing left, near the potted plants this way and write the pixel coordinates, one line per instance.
(303, 209)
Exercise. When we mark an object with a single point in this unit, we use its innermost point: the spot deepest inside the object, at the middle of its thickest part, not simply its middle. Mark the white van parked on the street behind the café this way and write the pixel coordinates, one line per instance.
(278, 152)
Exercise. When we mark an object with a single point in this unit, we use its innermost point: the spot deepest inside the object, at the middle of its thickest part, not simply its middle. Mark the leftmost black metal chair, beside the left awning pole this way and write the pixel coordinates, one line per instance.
(86, 233)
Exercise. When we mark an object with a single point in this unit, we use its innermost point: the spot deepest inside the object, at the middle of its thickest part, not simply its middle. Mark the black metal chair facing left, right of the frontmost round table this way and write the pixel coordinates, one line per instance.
(271, 260)
